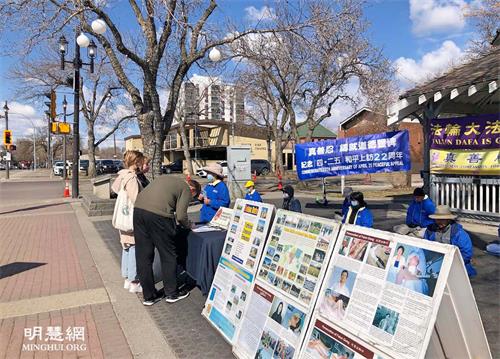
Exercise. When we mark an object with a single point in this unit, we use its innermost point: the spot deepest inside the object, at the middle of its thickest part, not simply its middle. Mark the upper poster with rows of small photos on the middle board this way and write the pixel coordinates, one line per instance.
(297, 249)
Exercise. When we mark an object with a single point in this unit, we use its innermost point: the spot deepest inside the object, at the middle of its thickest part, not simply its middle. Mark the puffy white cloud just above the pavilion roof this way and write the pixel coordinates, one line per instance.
(410, 71)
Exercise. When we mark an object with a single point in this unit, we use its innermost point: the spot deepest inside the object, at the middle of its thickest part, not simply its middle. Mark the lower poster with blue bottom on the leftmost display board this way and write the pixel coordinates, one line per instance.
(228, 298)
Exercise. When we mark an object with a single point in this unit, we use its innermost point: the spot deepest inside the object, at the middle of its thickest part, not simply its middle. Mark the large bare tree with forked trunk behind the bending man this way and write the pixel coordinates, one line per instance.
(173, 33)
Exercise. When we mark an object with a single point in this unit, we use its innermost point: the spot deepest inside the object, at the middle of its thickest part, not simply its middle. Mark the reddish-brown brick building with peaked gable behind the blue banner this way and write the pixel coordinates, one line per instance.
(365, 122)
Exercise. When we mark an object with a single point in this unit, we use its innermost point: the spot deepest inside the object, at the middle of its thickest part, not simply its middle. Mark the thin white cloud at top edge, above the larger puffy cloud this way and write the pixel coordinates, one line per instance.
(436, 16)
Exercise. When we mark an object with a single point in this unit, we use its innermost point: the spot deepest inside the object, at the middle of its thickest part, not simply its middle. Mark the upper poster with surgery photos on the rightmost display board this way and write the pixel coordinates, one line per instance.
(384, 287)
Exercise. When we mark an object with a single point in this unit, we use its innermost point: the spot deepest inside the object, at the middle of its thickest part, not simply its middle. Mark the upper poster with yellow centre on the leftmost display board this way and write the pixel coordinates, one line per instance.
(247, 233)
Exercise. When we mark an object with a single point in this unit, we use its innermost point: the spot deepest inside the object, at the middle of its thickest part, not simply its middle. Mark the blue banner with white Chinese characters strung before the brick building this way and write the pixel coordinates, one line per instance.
(382, 152)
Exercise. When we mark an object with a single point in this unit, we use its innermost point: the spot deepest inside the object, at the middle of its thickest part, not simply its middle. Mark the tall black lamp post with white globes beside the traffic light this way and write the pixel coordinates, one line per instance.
(81, 40)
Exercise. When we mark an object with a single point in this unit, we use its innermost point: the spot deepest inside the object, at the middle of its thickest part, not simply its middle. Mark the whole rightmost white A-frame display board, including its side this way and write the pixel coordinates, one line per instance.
(381, 297)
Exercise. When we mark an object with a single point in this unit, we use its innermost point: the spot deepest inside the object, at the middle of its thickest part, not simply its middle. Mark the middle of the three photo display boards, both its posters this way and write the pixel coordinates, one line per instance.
(290, 274)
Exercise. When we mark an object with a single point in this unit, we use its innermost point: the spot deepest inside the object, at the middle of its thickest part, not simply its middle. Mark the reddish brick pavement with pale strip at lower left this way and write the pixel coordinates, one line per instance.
(44, 255)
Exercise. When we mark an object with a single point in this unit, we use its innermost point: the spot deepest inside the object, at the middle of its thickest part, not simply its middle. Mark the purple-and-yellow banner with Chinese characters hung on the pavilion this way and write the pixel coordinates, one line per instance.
(465, 145)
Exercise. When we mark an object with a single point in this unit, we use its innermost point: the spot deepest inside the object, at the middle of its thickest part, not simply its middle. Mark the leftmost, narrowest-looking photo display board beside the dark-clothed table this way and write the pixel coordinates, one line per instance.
(231, 287)
